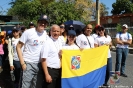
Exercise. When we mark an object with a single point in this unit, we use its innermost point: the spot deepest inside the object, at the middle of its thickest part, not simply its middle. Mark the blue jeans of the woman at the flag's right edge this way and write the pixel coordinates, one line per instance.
(108, 70)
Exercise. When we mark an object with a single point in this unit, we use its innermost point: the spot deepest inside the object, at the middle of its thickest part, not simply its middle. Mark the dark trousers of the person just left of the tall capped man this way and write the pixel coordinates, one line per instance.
(17, 71)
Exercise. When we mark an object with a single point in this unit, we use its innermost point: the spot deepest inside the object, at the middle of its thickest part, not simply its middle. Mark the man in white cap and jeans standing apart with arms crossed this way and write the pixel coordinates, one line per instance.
(123, 40)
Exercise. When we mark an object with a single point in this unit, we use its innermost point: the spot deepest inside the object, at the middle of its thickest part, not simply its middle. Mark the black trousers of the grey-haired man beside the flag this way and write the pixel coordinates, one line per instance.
(56, 78)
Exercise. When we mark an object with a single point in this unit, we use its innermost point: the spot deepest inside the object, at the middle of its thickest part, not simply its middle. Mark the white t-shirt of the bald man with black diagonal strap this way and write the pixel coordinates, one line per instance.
(83, 42)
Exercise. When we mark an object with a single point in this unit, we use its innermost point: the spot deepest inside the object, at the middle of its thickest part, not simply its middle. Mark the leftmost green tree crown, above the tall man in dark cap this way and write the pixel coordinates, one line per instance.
(26, 10)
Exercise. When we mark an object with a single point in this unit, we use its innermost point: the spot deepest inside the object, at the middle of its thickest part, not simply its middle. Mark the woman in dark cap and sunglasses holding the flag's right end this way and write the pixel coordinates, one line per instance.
(104, 39)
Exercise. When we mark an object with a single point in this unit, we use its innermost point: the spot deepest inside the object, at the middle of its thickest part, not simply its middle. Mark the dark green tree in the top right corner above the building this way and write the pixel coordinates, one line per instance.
(122, 7)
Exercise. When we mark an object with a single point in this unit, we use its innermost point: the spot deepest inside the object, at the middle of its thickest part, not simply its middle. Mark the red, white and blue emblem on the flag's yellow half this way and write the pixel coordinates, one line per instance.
(75, 62)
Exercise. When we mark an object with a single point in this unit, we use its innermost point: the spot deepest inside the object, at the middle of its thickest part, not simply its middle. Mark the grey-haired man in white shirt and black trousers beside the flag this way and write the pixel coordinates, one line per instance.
(51, 59)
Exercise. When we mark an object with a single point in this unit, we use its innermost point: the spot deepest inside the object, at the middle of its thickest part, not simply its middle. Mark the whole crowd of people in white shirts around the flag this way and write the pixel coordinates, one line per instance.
(35, 55)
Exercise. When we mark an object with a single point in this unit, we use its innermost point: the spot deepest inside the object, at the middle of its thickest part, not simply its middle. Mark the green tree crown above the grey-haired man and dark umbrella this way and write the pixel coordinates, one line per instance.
(61, 11)
